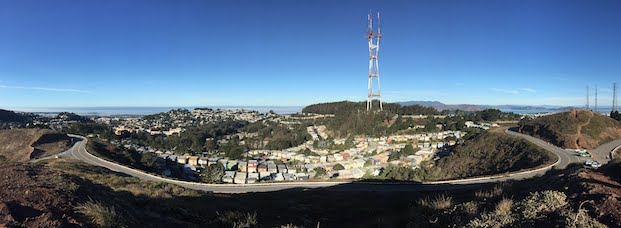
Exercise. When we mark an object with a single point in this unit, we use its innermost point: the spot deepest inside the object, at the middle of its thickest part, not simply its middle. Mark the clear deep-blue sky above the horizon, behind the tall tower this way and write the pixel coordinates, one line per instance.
(200, 53)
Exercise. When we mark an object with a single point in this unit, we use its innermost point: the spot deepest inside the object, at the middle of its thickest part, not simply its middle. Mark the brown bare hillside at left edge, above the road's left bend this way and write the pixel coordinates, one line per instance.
(25, 144)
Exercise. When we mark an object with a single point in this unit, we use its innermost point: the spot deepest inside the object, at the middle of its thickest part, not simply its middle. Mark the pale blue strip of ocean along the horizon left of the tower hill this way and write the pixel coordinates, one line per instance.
(141, 111)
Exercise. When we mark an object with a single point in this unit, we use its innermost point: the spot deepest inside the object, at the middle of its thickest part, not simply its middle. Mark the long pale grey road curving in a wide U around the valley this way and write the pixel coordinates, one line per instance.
(78, 151)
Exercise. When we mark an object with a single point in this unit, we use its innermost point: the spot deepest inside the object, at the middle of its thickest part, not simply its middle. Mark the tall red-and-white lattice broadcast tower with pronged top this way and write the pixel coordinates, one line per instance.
(373, 38)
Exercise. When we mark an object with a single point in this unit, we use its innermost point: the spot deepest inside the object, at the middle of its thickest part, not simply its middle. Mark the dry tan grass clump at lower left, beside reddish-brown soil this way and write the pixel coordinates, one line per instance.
(99, 214)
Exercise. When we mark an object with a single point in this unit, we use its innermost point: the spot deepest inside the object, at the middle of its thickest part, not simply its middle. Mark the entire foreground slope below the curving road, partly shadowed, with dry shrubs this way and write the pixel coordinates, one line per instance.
(66, 193)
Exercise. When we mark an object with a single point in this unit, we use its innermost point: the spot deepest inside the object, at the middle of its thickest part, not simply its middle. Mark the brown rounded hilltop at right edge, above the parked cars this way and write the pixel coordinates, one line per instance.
(576, 129)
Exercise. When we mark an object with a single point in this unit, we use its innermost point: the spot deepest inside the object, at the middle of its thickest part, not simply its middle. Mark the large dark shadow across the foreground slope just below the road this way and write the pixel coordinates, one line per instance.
(357, 204)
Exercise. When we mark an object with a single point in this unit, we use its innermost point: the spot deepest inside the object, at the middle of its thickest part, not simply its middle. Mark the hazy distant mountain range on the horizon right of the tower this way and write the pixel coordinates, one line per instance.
(472, 107)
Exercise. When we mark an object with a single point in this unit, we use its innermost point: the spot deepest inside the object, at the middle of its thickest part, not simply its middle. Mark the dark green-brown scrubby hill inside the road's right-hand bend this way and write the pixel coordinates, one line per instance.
(487, 154)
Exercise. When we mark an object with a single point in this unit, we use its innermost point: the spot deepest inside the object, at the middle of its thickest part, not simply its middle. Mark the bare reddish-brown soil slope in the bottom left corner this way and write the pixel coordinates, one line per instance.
(31, 196)
